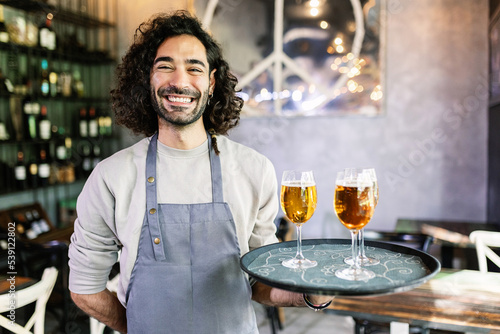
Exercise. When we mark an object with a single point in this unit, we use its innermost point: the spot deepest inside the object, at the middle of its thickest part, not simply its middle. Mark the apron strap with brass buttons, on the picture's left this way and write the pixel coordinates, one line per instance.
(151, 200)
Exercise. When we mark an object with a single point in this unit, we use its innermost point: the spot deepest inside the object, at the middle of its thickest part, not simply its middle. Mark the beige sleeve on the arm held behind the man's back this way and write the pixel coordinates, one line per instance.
(94, 247)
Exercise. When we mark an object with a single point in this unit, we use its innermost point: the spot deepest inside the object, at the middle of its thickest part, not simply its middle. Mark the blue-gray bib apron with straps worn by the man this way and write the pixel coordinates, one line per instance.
(187, 277)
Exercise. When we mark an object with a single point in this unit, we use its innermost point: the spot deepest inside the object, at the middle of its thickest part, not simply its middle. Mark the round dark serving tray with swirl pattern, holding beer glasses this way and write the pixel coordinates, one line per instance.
(401, 268)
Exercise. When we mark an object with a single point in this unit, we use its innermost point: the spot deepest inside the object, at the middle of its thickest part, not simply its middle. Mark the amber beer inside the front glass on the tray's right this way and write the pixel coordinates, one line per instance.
(354, 205)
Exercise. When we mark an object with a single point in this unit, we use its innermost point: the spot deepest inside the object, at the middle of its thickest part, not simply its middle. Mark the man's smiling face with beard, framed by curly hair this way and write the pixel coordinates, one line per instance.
(180, 80)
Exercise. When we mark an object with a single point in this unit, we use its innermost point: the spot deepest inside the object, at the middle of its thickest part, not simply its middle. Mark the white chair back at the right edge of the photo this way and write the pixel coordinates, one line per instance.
(484, 240)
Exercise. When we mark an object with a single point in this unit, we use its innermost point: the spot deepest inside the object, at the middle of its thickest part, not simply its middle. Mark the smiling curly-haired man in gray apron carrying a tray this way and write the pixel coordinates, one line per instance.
(179, 206)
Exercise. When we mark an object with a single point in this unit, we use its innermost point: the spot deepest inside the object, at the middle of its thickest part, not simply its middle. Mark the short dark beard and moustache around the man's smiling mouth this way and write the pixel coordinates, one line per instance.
(177, 115)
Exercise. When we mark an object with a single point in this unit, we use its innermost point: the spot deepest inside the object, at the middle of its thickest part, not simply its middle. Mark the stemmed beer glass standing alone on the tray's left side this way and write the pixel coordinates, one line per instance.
(298, 202)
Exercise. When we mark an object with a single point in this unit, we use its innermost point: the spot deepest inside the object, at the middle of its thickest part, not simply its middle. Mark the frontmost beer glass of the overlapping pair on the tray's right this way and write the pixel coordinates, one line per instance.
(354, 204)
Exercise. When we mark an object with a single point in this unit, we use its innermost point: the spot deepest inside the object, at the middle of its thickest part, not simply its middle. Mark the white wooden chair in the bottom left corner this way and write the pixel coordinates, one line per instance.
(38, 293)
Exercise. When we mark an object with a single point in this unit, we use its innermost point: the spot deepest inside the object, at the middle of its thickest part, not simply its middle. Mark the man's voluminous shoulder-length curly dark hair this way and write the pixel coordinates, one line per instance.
(131, 99)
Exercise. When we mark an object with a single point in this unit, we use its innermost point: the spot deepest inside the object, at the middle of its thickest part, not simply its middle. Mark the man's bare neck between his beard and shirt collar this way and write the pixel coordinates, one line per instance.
(182, 138)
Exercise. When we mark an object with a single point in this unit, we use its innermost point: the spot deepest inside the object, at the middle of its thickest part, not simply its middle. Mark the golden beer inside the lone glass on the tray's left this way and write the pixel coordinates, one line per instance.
(298, 201)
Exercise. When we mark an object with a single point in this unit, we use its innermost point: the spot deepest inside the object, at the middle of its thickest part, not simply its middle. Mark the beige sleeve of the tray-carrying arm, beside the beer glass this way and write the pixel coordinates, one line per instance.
(264, 231)
